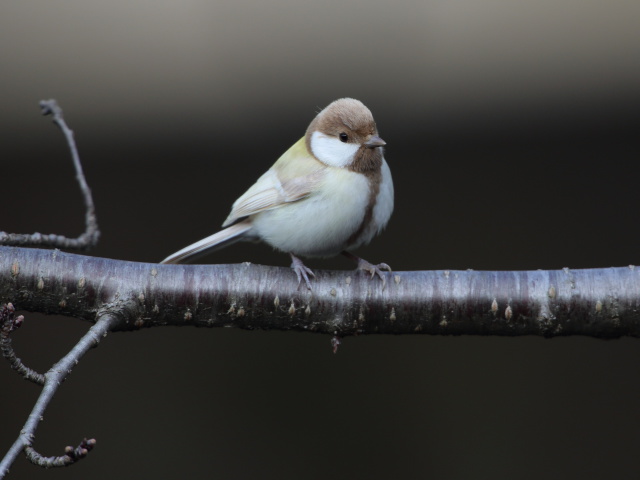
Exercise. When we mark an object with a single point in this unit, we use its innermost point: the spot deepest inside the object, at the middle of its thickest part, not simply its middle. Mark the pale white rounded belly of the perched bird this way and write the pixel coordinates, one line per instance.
(321, 224)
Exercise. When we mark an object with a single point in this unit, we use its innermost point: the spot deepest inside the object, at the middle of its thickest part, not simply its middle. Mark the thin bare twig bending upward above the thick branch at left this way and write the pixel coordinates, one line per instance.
(91, 234)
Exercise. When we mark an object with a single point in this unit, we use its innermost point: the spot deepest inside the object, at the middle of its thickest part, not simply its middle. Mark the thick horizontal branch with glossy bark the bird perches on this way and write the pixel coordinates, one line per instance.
(595, 302)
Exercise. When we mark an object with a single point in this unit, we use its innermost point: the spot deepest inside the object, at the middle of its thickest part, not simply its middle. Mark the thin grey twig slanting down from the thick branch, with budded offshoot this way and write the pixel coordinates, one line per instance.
(53, 380)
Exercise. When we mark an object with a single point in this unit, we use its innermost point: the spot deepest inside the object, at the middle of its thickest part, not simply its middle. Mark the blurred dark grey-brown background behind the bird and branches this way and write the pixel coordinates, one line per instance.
(512, 133)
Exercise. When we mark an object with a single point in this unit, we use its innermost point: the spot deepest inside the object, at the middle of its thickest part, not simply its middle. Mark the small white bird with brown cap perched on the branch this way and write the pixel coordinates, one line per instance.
(329, 193)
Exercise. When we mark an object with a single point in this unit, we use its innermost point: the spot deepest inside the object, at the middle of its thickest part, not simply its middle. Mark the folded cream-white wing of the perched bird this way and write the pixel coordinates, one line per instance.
(293, 177)
